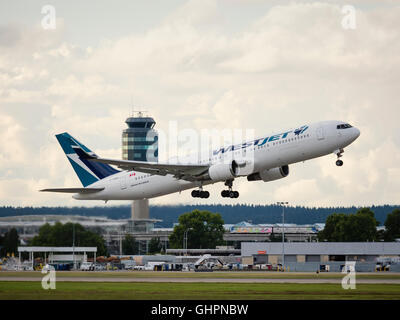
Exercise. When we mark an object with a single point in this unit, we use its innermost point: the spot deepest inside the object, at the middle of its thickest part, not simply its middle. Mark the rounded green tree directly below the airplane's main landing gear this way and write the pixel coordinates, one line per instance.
(204, 230)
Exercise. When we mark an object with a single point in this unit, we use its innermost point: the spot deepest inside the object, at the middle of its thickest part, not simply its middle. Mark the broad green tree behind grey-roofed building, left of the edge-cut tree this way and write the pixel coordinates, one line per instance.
(341, 227)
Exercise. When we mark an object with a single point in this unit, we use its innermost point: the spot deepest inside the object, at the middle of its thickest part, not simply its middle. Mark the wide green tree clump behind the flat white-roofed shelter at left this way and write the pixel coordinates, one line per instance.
(63, 235)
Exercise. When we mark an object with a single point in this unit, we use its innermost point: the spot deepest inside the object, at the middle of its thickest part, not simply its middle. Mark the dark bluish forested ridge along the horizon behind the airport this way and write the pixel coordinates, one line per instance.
(230, 213)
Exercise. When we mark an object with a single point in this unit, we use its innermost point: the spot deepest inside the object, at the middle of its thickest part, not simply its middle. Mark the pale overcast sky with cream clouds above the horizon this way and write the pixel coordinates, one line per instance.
(262, 65)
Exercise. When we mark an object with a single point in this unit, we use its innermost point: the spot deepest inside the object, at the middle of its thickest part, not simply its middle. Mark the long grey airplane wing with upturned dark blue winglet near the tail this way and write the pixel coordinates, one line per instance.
(190, 172)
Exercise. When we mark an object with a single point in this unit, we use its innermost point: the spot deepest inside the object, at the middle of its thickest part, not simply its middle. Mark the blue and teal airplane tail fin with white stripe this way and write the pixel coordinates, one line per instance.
(87, 171)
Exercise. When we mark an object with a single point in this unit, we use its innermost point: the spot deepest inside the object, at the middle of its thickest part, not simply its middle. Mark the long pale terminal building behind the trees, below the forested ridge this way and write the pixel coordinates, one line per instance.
(114, 231)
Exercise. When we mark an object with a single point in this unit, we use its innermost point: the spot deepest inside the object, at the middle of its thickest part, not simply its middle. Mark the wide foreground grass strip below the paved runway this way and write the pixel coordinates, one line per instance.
(195, 291)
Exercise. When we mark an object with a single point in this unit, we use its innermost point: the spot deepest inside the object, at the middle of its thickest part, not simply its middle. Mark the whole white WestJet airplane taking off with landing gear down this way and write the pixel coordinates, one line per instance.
(266, 158)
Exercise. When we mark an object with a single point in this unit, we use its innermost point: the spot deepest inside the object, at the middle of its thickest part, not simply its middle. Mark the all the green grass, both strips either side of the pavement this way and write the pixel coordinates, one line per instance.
(27, 290)
